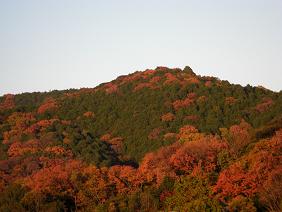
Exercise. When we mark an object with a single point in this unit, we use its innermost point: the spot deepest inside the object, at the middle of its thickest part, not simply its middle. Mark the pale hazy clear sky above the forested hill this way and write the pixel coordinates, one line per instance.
(60, 44)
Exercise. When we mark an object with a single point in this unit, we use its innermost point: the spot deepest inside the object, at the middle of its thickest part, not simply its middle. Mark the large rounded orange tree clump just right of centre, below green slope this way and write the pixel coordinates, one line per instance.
(188, 157)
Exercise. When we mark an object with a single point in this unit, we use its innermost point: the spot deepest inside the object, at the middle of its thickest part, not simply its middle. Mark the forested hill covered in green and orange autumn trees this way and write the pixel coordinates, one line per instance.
(154, 140)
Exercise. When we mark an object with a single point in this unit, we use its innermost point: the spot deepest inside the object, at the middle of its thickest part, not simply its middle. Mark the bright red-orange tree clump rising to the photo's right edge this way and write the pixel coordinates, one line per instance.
(247, 176)
